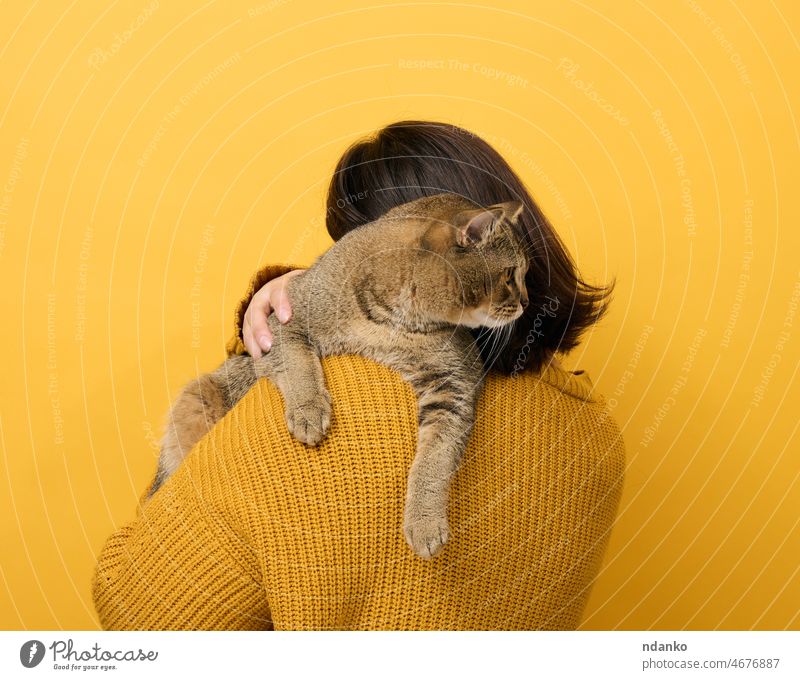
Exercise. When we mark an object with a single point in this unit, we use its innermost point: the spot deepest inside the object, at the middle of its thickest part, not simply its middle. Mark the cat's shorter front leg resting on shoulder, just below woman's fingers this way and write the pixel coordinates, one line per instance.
(294, 366)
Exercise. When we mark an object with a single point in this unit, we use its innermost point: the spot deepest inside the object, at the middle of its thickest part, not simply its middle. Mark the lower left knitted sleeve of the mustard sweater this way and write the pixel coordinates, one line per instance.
(179, 566)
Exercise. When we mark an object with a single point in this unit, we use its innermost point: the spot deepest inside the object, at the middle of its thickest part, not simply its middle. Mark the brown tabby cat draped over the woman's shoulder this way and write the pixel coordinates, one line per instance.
(402, 290)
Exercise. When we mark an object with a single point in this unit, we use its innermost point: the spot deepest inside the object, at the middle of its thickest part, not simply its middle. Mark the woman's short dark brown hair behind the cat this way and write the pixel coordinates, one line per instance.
(410, 159)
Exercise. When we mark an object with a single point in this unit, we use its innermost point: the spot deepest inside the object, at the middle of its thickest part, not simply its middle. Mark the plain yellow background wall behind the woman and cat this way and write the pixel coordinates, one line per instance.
(144, 175)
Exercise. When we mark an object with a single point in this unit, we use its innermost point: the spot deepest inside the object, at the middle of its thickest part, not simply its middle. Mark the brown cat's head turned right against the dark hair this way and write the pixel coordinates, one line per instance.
(482, 252)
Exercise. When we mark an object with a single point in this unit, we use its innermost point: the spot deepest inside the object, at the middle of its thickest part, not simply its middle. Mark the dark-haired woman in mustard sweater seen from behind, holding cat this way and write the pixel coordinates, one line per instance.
(255, 531)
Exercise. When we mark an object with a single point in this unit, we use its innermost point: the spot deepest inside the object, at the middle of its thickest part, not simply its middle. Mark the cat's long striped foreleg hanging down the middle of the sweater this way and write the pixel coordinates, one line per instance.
(447, 392)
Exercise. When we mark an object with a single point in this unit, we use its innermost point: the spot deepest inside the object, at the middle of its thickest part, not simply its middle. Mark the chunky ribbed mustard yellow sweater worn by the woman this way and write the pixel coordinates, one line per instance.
(256, 531)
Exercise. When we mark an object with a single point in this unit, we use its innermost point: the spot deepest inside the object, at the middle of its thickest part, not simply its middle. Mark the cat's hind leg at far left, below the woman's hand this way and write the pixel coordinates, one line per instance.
(198, 407)
